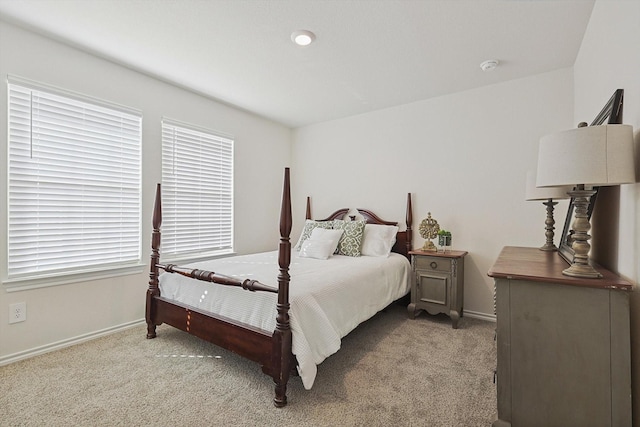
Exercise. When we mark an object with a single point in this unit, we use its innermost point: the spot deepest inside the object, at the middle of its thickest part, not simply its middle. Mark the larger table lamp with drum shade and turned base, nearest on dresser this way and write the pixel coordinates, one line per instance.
(585, 157)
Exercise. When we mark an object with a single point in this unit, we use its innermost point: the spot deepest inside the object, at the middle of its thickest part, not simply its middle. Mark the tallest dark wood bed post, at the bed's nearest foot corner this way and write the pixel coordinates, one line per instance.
(282, 335)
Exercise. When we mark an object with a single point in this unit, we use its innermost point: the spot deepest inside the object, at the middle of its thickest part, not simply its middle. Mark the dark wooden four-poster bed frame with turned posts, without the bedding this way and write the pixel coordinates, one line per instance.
(272, 350)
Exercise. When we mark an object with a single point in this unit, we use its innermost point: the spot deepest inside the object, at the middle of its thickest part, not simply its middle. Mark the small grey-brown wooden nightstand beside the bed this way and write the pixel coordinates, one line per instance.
(439, 283)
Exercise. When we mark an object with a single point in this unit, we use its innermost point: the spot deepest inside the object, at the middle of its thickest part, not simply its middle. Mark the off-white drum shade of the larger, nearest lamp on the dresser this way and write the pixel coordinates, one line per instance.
(591, 155)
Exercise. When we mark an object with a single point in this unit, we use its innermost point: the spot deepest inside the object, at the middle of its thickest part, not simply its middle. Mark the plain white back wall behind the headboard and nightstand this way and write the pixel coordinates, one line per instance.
(464, 158)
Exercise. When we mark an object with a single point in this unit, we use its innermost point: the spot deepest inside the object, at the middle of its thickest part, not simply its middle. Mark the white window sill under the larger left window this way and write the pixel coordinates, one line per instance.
(43, 281)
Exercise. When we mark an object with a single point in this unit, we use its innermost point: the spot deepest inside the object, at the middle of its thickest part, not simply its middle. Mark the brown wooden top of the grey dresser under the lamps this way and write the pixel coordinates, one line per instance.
(546, 266)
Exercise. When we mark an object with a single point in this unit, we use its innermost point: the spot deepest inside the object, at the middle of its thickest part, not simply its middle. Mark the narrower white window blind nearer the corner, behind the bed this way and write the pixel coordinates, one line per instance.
(197, 191)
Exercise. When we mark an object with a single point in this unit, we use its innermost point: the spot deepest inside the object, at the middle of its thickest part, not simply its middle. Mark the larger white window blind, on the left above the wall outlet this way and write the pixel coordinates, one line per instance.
(74, 183)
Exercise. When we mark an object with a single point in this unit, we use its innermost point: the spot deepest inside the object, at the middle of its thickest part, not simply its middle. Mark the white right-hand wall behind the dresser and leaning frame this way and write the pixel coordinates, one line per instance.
(609, 59)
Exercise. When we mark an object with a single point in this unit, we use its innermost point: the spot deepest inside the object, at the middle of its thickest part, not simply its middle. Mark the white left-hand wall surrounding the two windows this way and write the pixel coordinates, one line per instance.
(262, 150)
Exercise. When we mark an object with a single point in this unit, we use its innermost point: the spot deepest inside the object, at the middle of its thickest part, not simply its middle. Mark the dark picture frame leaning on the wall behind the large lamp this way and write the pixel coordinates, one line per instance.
(612, 114)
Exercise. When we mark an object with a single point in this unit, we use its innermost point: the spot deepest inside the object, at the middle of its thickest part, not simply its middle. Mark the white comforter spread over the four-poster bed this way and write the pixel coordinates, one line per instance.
(328, 298)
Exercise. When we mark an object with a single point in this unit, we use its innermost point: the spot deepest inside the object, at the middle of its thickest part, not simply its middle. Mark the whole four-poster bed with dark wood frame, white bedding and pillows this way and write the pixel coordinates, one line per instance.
(289, 328)
